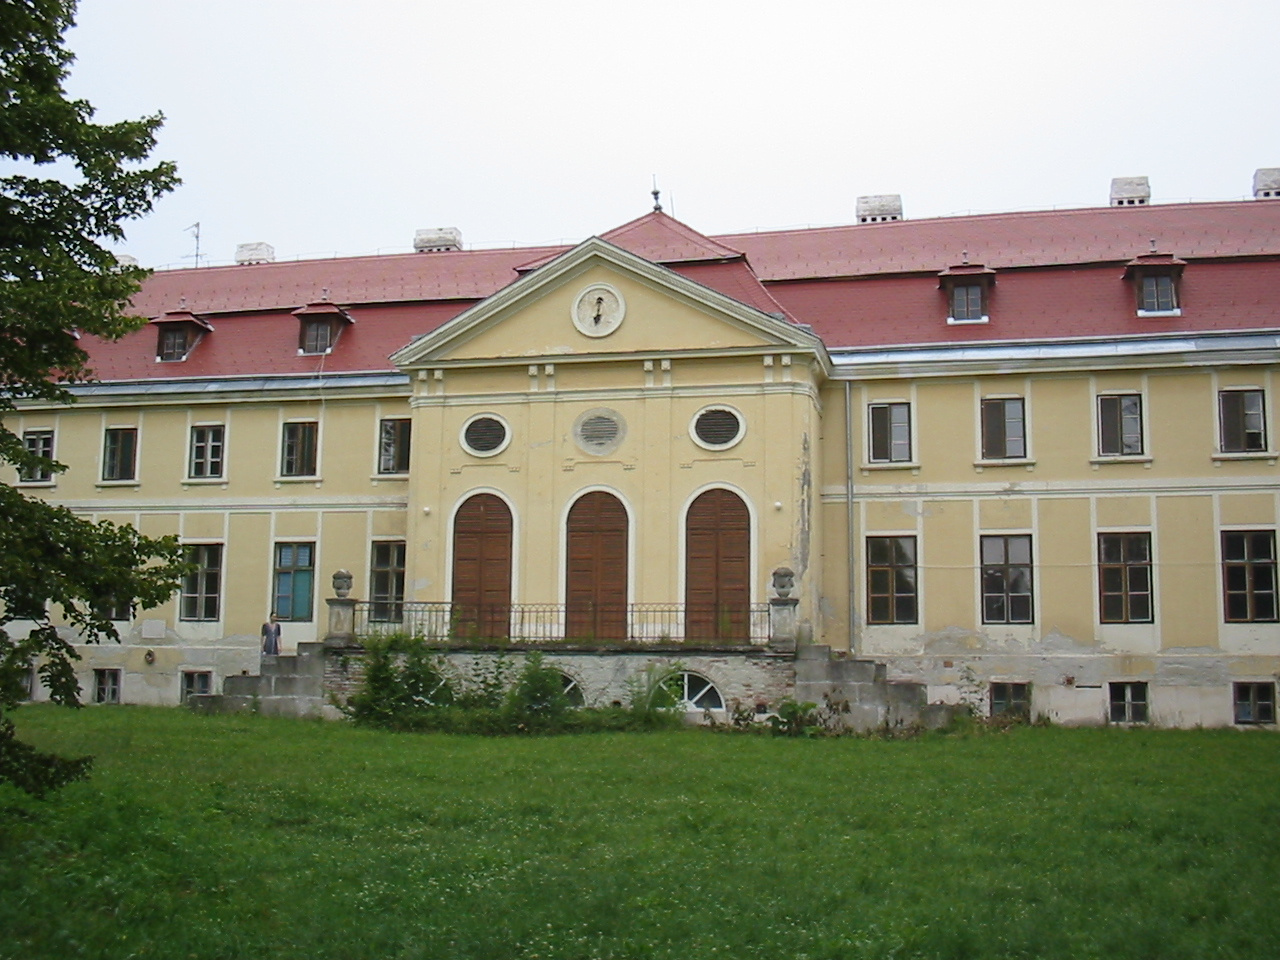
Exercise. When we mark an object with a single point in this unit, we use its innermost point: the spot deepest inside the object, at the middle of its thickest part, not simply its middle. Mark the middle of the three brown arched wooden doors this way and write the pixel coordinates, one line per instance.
(596, 568)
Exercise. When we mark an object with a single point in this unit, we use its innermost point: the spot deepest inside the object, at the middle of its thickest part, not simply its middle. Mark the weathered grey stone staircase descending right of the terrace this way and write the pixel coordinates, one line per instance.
(874, 701)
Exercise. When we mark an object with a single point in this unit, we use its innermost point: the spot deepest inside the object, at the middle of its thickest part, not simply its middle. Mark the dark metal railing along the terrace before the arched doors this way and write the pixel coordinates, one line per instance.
(588, 625)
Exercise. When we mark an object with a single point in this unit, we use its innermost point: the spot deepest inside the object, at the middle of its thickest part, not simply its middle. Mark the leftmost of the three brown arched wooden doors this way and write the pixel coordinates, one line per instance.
(482, 569)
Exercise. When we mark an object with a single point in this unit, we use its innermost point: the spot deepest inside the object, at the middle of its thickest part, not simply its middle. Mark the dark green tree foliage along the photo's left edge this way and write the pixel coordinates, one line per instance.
(58, 284)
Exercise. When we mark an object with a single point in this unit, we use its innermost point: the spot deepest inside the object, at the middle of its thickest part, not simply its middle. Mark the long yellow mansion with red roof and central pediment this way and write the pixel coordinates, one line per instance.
(1026, 461)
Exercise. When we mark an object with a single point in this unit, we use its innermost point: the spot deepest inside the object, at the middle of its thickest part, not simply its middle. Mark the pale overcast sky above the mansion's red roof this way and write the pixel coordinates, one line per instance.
(340, 127)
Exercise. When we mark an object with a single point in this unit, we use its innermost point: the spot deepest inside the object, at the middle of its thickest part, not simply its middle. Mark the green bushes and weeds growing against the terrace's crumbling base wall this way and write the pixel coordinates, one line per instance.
(409, 687)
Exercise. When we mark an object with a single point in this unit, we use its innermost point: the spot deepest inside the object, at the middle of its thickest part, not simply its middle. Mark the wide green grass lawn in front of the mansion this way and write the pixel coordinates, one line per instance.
(255, 838)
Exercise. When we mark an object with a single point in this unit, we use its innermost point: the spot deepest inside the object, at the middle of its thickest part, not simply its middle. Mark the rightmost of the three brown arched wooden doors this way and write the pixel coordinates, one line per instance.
(717, 569)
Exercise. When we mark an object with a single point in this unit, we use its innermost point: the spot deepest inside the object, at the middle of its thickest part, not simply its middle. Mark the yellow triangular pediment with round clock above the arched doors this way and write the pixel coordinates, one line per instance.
(659, 310)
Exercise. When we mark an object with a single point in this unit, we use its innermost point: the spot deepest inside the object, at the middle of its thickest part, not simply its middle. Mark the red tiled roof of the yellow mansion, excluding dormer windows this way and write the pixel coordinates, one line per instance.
(1058, 275)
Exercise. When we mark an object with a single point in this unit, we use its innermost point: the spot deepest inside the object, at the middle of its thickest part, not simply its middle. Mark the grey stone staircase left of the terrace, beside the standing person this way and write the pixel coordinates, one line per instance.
(287, 687)
